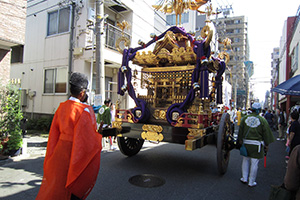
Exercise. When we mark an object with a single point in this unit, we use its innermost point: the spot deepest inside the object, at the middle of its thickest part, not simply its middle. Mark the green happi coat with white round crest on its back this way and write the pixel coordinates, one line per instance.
(258, 131)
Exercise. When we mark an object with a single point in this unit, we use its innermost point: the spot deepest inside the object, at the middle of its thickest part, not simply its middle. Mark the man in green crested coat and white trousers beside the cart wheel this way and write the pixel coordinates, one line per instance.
(256, 135)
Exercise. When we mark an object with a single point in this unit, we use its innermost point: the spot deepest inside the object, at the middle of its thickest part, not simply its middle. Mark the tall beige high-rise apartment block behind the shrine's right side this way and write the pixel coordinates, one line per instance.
(235, 28)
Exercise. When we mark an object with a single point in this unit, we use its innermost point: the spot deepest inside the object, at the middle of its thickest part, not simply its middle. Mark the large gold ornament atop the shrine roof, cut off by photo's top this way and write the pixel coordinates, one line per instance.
(178, 6)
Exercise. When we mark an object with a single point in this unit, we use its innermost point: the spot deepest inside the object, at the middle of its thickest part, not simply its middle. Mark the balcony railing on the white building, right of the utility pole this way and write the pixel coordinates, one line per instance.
(112, 35)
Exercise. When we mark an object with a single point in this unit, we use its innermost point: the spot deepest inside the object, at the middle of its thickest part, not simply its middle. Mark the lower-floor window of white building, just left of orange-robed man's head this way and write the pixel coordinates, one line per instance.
(55, 80)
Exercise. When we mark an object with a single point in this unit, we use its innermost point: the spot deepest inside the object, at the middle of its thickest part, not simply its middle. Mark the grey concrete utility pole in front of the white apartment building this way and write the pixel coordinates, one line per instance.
(100, 69)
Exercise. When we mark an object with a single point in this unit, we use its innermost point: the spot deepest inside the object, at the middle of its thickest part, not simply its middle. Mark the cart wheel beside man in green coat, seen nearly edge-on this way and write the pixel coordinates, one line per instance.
(223, 153)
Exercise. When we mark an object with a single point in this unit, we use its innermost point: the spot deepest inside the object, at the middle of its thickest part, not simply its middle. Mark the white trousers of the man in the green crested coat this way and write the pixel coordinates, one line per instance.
(249, 169)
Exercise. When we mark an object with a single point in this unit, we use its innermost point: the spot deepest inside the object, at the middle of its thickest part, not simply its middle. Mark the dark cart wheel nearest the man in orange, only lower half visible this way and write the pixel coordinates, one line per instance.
(130, 146)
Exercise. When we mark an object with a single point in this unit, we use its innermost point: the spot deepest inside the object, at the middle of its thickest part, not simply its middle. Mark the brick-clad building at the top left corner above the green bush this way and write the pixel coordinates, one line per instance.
(12, 35)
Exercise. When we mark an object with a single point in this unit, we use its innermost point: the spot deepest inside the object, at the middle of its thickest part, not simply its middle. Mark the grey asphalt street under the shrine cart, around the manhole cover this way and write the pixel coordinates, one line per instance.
(187, 175)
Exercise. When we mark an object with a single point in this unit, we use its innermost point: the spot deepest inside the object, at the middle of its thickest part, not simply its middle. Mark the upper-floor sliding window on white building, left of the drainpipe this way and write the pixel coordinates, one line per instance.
(58, 21)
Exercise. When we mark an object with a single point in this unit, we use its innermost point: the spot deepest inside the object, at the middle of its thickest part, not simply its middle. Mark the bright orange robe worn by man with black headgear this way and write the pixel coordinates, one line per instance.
(72, 159)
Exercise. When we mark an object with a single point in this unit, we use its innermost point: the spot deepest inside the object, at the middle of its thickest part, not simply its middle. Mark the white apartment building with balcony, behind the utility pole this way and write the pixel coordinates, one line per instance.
(60, 38)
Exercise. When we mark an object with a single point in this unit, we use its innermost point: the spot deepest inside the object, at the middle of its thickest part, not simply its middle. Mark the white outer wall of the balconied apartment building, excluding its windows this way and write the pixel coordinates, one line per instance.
(43, 52)
